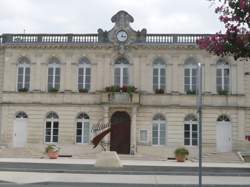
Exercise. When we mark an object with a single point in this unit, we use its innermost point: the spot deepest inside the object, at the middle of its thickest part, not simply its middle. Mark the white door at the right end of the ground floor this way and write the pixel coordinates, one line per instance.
(223, 137)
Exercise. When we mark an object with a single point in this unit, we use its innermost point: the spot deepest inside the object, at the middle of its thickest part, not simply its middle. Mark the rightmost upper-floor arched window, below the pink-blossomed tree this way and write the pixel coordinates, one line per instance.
(222, 76)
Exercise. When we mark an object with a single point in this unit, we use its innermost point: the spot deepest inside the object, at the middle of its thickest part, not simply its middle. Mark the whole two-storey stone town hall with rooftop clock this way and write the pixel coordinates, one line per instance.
(58, 88)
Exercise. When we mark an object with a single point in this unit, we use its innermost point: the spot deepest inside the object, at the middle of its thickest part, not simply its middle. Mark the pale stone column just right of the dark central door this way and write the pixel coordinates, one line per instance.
(133, 131)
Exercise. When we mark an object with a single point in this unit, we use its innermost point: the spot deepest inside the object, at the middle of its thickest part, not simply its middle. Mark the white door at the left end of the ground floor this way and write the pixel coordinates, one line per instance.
(20, 132)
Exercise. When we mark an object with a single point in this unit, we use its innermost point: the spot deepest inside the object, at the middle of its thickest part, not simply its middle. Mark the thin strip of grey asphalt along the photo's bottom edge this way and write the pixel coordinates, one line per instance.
(106, 185)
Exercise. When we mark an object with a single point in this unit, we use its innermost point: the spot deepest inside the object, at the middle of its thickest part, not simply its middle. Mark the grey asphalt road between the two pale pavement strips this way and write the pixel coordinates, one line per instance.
(128, 170)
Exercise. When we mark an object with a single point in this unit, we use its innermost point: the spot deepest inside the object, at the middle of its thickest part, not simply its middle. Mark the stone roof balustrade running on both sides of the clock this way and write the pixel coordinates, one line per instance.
(94, 38)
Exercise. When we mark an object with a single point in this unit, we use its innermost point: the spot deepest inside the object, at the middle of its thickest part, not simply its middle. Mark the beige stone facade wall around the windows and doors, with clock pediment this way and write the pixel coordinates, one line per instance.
(142, 106)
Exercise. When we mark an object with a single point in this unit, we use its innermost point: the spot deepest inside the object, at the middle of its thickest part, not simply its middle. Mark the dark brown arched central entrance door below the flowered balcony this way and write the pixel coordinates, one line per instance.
(120, 133)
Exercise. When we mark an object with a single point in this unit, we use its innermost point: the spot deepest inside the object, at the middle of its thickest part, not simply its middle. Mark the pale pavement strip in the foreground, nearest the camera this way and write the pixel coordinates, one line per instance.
(27, 177)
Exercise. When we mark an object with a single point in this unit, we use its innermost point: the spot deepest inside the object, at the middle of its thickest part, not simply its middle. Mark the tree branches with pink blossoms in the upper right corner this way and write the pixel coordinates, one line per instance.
(235, 15)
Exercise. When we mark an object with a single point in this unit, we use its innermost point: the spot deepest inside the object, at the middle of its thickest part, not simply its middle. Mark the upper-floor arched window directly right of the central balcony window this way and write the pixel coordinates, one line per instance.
(159, 74)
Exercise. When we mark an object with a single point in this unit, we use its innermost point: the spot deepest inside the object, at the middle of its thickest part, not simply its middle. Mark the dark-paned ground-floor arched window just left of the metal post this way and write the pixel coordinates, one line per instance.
(190, 130)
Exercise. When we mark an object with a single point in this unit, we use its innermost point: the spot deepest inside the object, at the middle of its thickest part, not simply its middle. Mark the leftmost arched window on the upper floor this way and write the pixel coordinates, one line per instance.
(23, 82)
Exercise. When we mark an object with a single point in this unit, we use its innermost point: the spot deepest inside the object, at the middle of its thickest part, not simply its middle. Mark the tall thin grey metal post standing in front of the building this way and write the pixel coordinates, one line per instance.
(199, 111)
